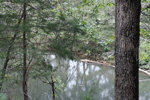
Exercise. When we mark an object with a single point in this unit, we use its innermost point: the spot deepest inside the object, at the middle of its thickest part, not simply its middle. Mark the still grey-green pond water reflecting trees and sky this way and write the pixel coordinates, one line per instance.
(82, 81)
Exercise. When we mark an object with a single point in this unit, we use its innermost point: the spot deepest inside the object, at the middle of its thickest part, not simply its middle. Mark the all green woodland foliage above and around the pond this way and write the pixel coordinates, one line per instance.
(60, 27)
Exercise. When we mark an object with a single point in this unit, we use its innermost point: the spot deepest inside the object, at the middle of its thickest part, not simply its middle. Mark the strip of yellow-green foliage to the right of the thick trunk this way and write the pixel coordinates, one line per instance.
(144, 55)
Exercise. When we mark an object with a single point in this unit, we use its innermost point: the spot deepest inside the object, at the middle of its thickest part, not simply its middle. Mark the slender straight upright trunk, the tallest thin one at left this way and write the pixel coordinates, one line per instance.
(24, 82)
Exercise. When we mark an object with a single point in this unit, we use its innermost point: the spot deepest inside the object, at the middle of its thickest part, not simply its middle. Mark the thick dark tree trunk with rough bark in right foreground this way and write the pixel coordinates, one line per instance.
(127, 20)
